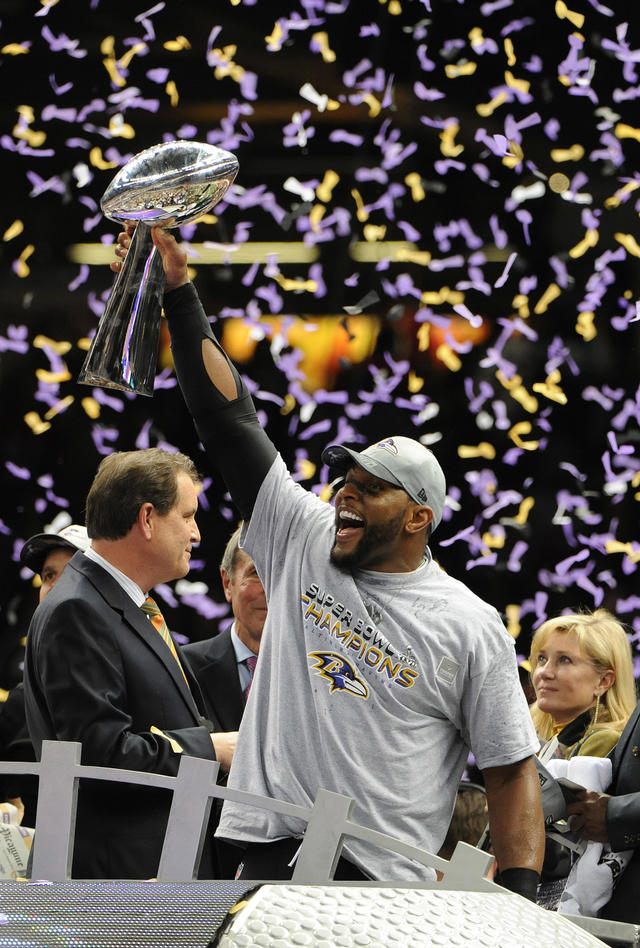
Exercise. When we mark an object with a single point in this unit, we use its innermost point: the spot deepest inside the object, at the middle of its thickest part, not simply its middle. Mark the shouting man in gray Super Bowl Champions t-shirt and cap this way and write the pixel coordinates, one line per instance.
(378, 672)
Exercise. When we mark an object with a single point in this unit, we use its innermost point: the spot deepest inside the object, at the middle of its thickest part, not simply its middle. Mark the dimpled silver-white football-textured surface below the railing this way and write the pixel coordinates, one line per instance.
(287, 916)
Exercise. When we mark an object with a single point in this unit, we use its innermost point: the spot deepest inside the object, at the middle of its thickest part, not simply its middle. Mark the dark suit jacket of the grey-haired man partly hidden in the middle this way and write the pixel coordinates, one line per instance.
(214, 664)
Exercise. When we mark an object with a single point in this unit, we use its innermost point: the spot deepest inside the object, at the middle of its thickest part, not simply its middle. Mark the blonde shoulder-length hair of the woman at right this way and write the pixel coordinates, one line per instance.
(602, 640)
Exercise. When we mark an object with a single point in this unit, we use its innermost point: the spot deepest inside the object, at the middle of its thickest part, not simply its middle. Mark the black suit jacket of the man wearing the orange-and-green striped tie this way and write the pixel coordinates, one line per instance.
(97, 671)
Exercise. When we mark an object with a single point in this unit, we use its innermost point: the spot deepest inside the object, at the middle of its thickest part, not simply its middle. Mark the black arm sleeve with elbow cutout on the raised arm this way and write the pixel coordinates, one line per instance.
(229, 430)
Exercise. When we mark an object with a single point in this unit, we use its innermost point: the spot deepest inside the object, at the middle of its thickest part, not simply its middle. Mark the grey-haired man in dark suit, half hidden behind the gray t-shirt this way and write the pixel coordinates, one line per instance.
(223, 663)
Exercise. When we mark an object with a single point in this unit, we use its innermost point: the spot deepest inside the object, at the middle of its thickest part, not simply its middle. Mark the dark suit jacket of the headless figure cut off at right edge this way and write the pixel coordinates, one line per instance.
(623, 821)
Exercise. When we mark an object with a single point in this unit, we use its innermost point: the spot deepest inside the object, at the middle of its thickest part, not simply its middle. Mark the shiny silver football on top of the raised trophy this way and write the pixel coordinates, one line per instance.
(170, 184)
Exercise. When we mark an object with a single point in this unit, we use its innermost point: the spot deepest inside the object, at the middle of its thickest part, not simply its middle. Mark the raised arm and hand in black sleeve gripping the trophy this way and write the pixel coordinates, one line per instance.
(221, 407)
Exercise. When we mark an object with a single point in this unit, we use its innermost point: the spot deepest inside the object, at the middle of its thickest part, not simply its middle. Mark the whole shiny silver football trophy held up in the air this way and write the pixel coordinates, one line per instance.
(170, 184)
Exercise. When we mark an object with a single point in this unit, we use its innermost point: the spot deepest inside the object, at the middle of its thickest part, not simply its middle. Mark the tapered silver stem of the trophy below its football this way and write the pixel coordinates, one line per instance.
(124, 351)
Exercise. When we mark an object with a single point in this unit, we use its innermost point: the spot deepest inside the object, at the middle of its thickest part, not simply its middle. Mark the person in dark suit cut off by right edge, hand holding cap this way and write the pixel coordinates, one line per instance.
(614, 818)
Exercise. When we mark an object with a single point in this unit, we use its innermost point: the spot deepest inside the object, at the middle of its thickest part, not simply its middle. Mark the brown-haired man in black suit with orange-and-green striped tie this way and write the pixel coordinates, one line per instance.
(100, 670)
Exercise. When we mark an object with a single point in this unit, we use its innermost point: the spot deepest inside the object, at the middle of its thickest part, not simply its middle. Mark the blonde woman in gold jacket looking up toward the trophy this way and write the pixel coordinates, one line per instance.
(582, 674)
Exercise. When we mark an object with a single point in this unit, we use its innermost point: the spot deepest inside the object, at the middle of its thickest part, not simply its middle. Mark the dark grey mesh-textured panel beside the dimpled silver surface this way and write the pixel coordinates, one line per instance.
(113, 914)
